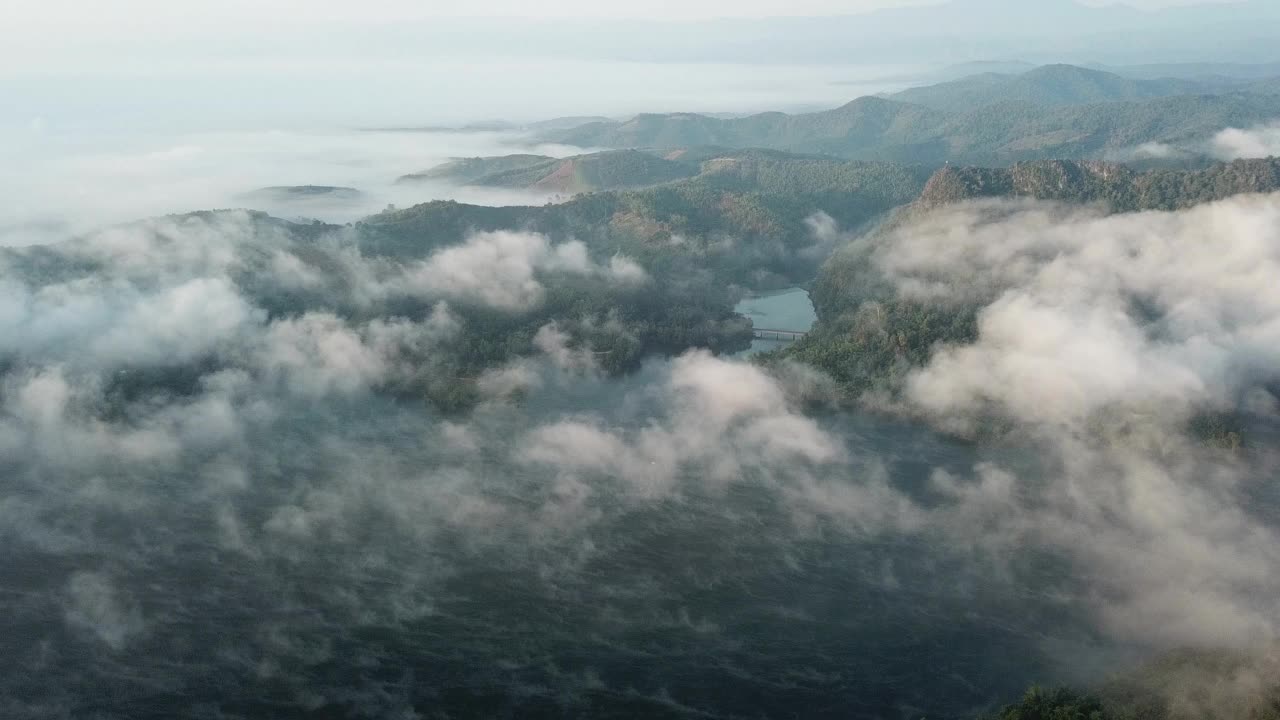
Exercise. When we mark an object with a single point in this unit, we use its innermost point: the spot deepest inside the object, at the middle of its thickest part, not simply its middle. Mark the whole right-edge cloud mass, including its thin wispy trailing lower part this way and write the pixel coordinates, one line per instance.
(1101, 338)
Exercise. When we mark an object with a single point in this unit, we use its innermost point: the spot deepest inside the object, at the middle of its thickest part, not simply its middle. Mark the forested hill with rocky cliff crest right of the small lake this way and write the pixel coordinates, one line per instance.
(868, 339)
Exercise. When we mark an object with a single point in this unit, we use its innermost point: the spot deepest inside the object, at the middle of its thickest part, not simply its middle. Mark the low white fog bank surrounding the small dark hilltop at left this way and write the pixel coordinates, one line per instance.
(74, 183)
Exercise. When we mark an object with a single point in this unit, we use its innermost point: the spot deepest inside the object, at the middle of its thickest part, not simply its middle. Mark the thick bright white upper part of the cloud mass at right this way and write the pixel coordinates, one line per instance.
(1059, 338)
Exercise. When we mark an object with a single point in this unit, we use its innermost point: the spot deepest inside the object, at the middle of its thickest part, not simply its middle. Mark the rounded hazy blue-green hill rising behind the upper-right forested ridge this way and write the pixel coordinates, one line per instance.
(1050, 86)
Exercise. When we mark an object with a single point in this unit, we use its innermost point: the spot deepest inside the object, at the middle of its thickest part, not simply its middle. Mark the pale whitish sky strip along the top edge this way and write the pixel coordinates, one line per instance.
(76, 35)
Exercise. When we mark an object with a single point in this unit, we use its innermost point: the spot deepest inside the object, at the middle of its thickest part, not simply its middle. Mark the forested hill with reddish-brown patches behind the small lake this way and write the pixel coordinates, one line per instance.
(742, 218)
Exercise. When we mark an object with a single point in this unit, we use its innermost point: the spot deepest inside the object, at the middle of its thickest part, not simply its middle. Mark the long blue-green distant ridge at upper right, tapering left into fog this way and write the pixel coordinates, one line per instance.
(1013, 121)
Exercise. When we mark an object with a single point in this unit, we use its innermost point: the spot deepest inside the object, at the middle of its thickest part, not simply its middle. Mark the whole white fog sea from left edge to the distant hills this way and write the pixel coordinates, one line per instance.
(81, 156)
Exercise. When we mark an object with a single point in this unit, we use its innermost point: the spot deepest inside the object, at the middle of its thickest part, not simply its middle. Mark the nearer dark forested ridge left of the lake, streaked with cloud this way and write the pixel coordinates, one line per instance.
(611, 315)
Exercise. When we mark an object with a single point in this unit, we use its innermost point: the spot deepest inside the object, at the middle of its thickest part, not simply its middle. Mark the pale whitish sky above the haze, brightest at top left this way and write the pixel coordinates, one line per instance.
(74, 35)
